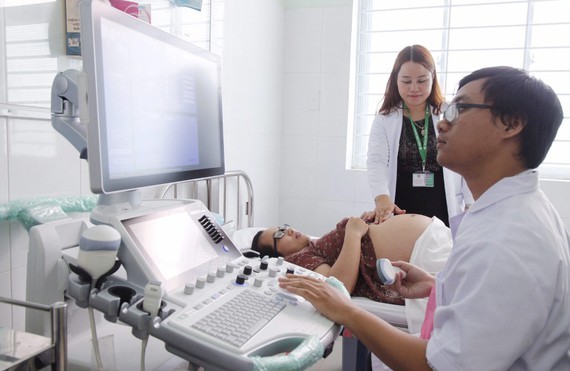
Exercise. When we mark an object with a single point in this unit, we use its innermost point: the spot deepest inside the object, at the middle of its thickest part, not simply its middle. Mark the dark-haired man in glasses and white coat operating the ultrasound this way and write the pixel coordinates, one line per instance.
(502, 301)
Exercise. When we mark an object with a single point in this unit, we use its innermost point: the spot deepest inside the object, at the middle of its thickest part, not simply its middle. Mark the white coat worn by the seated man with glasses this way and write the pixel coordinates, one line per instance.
(503, 298)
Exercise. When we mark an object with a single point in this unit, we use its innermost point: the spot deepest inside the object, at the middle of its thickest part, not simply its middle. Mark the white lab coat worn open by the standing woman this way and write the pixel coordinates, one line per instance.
(382, 163)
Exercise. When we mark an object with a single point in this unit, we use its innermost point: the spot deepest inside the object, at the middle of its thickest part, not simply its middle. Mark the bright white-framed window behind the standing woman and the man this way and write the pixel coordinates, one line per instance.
(463, 35)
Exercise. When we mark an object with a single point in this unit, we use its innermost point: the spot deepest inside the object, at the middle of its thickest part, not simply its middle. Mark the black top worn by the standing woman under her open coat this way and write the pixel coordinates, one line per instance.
(429, 201)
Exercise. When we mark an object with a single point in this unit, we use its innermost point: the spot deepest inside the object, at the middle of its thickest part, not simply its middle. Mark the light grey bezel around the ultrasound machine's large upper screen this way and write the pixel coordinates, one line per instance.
(92, 12)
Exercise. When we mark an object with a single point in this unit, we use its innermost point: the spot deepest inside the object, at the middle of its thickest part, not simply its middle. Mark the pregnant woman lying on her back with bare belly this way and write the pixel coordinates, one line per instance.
(349, 252)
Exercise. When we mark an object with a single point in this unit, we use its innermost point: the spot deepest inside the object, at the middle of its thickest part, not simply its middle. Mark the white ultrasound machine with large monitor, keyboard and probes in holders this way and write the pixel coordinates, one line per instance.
(146, 110)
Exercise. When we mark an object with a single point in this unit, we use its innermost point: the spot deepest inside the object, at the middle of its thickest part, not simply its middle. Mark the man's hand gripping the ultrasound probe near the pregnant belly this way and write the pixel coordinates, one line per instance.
(417, 284)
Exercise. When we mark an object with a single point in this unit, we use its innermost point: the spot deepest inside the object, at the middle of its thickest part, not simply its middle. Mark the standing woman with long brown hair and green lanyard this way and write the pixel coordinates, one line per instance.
(403, 172)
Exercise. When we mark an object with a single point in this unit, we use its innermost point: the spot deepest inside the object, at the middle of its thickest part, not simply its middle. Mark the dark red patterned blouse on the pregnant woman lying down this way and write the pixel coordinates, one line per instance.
(327, 249)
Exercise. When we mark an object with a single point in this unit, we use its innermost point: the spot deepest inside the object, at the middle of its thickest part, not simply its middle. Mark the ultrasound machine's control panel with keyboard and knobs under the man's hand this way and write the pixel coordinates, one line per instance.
(244, 310)
